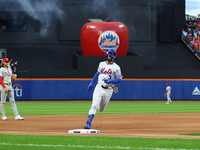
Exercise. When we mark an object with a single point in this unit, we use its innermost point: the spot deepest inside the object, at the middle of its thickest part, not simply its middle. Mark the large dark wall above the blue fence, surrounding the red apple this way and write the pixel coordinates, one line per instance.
(51, 54)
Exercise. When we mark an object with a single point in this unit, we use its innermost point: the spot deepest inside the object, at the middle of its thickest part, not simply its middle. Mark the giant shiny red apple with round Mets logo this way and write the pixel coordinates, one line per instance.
(99, 37)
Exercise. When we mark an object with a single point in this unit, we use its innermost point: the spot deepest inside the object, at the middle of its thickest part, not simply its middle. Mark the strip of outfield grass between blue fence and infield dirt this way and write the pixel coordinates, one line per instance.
(69, 108)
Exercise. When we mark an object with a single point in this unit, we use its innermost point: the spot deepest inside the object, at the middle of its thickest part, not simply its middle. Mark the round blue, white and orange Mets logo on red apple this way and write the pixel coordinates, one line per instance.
(108, 40)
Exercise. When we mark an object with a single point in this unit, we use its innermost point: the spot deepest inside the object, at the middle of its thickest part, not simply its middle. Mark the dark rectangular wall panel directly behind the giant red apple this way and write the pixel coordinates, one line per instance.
(136, 18)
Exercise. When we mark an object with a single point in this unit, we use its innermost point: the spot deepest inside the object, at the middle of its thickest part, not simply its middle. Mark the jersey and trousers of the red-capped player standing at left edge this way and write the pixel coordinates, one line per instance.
(7, 74)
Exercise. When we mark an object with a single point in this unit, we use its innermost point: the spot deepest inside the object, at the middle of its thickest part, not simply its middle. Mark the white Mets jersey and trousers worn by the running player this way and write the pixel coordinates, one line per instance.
(103, 92)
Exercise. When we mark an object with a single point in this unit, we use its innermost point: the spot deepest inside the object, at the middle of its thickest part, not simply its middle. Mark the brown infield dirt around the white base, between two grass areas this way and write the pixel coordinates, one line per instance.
(132, 125)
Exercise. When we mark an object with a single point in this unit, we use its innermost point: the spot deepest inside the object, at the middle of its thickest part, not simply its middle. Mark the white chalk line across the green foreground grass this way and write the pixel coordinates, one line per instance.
(93, 147)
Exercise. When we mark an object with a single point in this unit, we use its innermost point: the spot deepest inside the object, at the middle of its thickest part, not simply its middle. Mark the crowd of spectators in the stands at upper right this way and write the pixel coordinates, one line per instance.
(191, 36)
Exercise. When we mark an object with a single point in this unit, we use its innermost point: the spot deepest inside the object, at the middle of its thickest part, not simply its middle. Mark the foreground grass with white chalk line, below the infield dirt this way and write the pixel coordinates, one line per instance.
(30, 142)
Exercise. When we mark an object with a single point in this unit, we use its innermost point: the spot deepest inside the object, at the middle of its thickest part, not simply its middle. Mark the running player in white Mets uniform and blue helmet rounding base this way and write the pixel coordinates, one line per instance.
(108, 74)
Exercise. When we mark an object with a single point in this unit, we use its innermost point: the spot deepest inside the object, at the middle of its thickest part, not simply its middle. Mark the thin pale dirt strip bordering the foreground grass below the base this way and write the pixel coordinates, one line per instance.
(111, 134)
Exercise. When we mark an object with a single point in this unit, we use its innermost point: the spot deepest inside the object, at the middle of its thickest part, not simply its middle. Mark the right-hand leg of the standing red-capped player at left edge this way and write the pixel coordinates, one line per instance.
(13, 104)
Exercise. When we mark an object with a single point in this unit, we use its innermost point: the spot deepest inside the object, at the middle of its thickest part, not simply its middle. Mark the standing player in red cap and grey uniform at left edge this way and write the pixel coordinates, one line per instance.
(7, 90)
